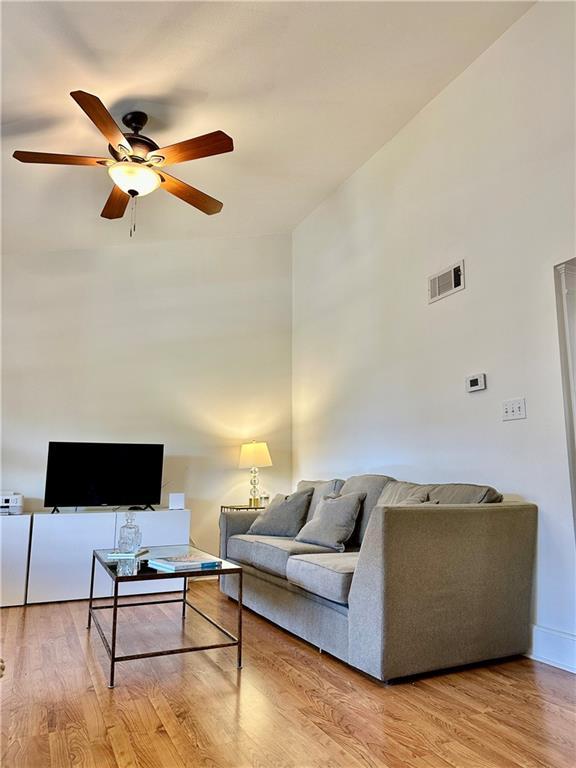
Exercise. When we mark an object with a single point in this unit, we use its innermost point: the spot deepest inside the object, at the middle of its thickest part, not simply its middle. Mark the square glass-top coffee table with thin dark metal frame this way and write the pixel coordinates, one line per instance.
(146, 573)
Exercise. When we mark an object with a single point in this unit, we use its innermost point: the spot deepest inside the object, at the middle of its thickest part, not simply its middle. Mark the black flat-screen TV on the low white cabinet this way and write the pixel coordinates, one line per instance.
(97, 474)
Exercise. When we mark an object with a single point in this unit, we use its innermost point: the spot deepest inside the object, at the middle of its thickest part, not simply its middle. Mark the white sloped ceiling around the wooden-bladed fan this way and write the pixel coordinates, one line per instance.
(309, 91)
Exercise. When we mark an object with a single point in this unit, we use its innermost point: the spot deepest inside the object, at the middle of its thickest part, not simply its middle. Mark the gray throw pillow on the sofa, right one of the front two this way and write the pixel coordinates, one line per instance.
(333, 522)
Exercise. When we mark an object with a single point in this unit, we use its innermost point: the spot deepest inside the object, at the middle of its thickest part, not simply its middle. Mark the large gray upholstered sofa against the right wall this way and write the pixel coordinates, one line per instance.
(419, 588)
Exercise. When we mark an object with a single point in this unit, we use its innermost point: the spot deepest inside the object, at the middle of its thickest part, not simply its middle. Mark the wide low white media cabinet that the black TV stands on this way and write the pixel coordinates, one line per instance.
(62, 544)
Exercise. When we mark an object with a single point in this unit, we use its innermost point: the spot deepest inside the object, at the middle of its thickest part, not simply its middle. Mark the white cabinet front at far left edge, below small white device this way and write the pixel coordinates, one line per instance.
(14, 540)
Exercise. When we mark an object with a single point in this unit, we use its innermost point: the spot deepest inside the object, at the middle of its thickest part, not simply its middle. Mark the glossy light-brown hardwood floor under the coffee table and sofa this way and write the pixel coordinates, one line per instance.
(290, 707)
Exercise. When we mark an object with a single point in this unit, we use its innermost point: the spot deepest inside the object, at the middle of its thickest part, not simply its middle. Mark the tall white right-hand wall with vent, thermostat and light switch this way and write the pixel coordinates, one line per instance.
(484, 173)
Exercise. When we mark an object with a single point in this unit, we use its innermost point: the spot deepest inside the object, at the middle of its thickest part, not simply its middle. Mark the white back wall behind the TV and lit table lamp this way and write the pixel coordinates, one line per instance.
(185, 343)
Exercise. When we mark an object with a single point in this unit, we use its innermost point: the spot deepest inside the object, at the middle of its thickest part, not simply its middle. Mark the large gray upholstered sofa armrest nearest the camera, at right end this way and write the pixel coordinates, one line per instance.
(441, 586)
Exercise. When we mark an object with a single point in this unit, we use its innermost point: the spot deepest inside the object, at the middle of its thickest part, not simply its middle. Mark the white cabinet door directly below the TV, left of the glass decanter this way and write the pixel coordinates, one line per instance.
(61, 556)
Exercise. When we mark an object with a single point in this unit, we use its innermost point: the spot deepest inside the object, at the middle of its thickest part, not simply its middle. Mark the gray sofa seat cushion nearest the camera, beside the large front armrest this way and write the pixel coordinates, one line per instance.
(328, 575)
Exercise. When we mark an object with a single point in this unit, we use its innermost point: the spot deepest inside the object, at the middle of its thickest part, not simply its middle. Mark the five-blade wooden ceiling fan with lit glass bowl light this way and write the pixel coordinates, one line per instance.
(137, 163)
